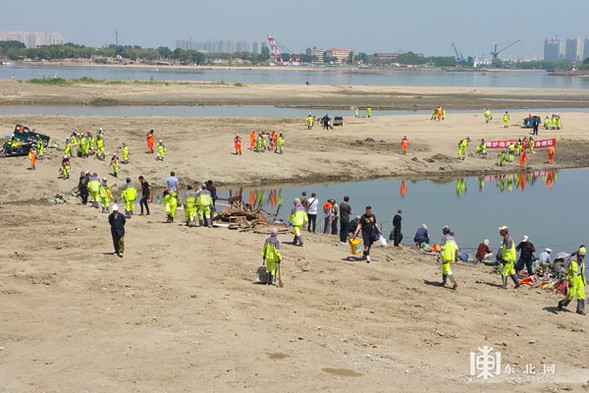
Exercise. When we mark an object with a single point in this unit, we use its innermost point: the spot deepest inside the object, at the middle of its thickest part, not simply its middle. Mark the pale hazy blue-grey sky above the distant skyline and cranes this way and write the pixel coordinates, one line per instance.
(426, 26)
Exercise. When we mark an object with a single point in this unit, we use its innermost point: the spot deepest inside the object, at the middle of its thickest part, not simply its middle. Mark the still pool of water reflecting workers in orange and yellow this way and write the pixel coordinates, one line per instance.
(545, 205)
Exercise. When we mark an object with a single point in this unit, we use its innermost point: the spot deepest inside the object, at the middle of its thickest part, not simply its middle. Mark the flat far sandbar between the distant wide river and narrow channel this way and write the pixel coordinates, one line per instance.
(318, 97)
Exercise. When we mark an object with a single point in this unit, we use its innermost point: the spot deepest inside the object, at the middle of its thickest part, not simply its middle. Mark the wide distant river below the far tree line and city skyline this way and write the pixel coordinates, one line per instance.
(328, 76)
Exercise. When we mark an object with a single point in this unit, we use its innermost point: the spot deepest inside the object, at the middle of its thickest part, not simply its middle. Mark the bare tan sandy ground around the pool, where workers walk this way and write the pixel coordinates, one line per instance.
(179, 312)
